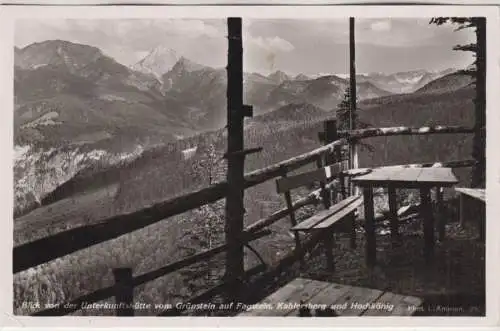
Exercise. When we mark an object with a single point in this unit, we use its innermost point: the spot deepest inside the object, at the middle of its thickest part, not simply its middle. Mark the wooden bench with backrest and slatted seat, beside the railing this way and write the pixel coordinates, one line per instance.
(337, 218)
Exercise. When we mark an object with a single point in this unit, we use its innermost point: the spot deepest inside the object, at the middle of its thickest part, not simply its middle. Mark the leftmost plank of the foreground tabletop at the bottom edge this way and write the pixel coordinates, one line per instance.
(282, 295)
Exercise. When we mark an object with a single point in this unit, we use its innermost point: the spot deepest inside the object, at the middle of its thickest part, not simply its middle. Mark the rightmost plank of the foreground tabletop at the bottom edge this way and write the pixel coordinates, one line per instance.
(391, 304)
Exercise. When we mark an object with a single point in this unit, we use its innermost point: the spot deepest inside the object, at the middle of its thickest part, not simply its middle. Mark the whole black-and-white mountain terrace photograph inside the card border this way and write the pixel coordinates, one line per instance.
(250, 166)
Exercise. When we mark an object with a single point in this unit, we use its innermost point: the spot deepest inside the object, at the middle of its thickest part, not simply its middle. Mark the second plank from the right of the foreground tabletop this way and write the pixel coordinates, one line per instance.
(357, 300)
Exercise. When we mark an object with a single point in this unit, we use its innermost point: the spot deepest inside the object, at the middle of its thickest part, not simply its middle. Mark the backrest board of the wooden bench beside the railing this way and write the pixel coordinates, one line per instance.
(286, 184)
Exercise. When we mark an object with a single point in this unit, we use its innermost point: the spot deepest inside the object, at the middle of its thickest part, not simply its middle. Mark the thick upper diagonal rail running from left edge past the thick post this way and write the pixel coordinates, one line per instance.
(63, 243)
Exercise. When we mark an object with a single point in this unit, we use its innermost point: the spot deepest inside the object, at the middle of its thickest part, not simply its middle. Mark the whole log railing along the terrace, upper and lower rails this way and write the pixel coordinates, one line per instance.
(43, 250)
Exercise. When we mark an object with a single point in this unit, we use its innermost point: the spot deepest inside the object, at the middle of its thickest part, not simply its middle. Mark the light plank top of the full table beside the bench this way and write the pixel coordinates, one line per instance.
(407, 177)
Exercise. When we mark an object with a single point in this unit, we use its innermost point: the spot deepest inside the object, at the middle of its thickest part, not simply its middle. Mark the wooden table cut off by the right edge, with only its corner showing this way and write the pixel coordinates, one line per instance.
(474, 194)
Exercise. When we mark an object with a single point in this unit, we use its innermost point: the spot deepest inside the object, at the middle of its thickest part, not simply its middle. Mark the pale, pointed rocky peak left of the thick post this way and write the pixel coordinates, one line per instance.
(158, 62)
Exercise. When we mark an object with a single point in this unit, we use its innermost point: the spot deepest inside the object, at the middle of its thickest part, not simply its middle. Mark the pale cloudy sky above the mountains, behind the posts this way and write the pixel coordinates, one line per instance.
(294, 46)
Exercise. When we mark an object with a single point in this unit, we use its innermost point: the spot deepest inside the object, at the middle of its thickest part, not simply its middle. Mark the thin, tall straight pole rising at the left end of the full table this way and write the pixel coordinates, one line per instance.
(353, 148)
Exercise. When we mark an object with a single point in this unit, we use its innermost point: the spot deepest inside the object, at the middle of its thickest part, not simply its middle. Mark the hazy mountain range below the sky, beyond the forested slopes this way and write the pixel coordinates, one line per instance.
(73, 97)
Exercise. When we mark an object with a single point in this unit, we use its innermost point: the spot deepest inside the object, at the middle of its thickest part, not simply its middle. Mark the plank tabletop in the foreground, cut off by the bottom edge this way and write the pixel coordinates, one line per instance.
(343, 299)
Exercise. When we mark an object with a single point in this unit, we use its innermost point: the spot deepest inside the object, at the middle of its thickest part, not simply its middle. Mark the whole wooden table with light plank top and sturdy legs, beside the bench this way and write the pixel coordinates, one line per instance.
(423, 179)
